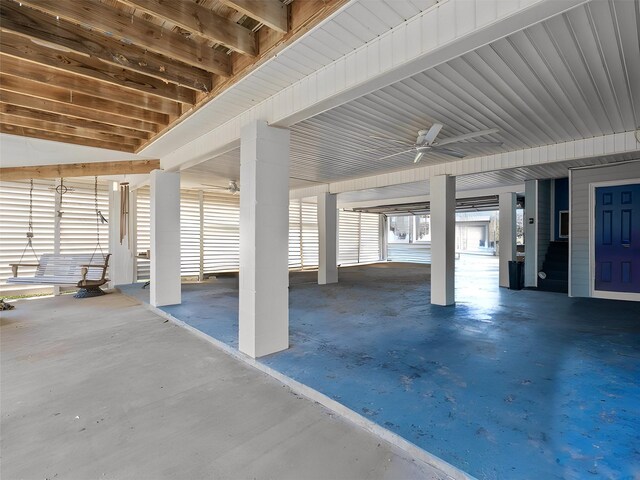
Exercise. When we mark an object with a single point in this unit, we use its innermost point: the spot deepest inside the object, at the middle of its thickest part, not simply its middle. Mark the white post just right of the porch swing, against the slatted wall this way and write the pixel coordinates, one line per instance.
(121, 263)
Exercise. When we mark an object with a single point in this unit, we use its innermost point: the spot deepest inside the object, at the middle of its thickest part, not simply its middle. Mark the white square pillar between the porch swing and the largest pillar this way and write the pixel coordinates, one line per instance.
(165, 238)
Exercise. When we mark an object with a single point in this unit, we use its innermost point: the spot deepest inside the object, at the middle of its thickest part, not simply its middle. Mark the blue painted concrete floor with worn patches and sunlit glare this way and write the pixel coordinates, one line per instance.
(506, 384)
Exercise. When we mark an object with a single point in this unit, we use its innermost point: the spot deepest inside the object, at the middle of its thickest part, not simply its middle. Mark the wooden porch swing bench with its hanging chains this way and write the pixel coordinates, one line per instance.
(85, 271)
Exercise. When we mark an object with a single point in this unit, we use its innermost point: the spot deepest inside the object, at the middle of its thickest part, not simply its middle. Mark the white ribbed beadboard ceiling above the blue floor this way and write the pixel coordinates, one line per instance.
(573, 76)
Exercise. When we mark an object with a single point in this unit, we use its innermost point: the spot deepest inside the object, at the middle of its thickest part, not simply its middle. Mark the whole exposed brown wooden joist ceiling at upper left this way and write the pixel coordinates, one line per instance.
(117, 73)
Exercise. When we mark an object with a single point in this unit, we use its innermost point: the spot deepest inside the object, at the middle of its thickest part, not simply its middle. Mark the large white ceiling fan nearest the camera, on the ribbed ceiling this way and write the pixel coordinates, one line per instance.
(426, 142)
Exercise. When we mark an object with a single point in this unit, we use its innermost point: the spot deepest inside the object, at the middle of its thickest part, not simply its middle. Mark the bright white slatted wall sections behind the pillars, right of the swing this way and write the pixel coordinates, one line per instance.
(359, 234)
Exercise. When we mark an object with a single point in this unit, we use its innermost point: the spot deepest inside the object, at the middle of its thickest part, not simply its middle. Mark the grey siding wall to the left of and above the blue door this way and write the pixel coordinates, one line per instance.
(579, 238)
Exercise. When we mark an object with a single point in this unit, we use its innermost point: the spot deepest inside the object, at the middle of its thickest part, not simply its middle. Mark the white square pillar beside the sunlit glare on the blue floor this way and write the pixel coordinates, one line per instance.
(443, 244)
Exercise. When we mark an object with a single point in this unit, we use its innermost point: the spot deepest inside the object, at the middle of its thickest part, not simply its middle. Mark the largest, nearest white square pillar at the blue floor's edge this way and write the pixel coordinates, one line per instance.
(264, 239)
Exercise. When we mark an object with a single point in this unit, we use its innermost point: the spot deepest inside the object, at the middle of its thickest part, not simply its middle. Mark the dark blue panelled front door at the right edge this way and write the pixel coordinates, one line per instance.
(617, 231)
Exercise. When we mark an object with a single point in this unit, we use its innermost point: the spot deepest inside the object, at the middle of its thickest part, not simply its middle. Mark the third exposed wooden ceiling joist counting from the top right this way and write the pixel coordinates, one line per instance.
(142, 33)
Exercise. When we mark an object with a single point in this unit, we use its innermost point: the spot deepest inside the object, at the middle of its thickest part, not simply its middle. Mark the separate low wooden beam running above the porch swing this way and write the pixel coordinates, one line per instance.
(68, 170)
